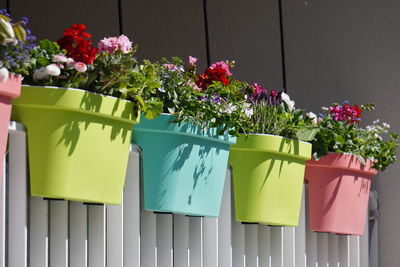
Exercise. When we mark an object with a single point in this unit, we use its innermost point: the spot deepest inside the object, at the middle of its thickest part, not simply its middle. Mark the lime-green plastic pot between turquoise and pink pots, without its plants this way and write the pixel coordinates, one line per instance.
(268, 175)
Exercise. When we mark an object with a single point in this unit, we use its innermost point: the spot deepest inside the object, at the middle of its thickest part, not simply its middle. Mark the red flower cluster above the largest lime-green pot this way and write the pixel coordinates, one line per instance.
(78, 45)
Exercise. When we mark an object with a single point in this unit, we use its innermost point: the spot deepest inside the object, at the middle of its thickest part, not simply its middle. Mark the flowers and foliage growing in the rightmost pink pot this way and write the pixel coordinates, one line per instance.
(339, 131)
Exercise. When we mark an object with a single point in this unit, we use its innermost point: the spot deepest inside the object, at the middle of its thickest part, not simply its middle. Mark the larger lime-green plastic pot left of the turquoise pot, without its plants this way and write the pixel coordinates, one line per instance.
(78, 142)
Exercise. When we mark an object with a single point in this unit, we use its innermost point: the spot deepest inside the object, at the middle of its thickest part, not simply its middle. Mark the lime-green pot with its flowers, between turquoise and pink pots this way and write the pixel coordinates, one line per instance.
(268, 160)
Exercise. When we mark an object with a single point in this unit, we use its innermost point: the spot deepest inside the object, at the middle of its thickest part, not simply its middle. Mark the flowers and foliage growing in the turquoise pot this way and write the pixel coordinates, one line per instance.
(212, 99)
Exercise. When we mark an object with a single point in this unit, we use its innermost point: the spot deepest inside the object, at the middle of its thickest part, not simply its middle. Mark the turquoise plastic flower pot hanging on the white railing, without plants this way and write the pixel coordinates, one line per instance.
(184, 167)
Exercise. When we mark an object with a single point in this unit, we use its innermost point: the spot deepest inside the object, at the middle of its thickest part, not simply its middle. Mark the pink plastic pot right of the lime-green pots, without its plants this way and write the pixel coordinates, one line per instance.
(338, 193)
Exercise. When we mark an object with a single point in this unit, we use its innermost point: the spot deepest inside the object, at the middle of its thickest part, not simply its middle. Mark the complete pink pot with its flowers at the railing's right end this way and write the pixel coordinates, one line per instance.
(346, 156)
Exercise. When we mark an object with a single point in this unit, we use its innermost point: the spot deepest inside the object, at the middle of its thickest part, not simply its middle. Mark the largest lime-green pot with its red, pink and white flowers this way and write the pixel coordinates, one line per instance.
(79, 139)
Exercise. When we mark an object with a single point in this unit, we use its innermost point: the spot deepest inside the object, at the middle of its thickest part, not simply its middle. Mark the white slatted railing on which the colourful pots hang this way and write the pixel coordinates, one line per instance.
(41, 233)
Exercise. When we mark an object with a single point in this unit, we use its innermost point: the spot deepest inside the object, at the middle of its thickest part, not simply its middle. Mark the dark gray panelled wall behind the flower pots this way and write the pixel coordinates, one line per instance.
(335, 50)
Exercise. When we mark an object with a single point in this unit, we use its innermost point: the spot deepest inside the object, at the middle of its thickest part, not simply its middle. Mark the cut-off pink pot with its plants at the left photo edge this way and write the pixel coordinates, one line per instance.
(16, 43)
